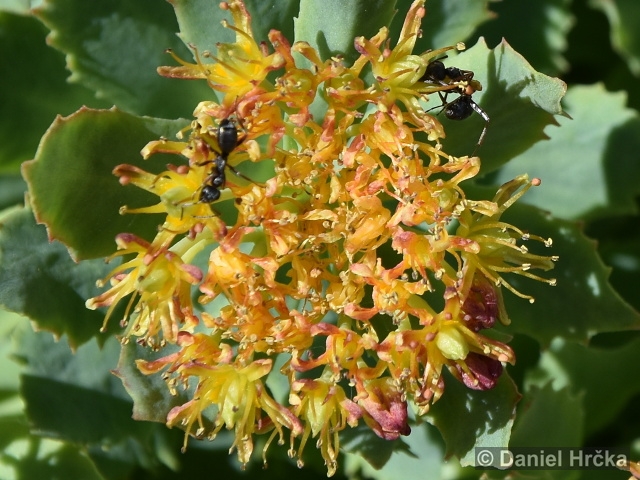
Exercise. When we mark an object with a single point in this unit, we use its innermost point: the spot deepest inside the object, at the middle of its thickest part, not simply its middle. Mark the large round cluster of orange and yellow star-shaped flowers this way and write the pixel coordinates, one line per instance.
(351, 249)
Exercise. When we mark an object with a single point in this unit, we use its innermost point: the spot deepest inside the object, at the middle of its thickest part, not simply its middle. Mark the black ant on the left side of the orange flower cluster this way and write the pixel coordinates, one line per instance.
(227, 137)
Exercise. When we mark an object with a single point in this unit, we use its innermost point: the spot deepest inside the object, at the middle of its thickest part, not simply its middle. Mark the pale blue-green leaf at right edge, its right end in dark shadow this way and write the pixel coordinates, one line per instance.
(590, 166)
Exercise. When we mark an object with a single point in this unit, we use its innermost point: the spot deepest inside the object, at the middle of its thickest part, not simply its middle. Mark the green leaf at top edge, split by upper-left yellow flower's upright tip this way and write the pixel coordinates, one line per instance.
(200, 21)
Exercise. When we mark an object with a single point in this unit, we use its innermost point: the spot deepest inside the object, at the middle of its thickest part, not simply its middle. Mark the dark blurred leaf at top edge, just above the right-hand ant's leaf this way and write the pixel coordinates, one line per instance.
(538, 30)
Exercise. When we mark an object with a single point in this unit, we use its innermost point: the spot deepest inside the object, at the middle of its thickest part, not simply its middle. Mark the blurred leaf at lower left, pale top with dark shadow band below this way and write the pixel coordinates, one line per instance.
(75, 397)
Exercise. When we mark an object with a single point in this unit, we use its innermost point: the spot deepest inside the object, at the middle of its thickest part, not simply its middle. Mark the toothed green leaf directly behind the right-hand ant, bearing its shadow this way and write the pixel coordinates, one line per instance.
(519, 101)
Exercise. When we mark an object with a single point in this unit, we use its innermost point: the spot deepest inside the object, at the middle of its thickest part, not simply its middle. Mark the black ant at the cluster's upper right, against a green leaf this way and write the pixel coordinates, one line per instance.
(462, 83)
